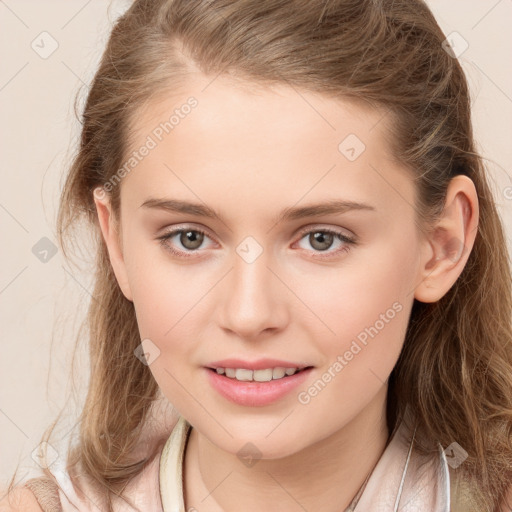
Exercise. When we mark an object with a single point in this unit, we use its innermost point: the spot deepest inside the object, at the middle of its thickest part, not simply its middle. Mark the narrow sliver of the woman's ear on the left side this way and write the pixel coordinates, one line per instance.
(111, 235)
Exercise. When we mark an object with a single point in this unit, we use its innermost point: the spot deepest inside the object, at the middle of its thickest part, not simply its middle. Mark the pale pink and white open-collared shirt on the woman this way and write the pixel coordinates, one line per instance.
(401, 481)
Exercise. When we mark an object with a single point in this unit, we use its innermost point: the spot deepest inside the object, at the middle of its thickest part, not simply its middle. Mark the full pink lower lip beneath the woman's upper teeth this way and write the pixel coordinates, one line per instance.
(255, 394)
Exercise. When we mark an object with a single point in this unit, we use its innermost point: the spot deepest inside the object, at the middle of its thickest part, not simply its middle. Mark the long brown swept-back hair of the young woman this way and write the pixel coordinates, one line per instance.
(455, 369)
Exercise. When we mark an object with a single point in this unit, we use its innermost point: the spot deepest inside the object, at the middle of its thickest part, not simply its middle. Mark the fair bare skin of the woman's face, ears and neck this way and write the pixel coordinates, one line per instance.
(250, 154)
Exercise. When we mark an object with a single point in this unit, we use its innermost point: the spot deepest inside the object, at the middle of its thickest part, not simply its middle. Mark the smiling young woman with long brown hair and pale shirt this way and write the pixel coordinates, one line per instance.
(297, 249)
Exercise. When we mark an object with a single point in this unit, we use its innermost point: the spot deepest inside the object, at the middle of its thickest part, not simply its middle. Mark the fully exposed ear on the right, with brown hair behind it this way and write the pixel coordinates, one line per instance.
(447, 247)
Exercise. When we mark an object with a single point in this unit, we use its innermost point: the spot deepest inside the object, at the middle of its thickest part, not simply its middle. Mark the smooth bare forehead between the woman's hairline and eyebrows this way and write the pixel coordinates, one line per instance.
(278, 144)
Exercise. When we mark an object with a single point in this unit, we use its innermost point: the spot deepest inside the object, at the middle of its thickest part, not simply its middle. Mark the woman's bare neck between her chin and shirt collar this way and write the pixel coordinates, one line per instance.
(323, 476)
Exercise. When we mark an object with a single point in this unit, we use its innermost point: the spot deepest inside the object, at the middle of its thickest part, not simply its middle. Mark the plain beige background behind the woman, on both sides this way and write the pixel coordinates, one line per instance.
(43, 303)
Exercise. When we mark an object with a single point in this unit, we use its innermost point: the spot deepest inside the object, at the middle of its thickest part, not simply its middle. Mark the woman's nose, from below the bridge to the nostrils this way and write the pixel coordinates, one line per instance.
(254, 299)
